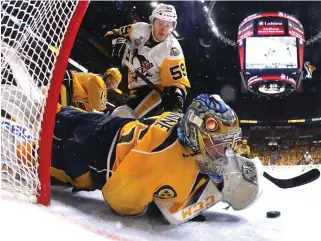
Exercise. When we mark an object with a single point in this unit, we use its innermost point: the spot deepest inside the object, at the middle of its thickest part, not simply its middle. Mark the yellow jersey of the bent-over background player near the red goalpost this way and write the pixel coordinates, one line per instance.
(89, 91)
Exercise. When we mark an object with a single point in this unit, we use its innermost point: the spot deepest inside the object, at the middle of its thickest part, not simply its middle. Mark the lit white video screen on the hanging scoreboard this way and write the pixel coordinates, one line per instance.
(271, 53)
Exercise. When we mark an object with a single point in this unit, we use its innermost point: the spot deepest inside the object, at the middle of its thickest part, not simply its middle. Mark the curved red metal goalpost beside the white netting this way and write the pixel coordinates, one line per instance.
(47, 125)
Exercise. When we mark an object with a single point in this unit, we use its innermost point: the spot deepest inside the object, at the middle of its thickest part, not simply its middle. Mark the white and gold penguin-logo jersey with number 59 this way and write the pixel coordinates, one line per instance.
(162, 63)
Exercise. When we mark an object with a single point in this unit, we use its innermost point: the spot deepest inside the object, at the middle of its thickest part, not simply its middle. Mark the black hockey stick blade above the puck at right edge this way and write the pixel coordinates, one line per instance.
(297, 181)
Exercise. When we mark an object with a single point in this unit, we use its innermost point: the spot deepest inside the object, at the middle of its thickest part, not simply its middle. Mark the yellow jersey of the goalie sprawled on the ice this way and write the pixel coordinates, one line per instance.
(150, 165)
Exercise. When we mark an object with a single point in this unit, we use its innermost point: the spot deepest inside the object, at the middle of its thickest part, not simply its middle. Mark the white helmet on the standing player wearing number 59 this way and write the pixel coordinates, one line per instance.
(164, 12)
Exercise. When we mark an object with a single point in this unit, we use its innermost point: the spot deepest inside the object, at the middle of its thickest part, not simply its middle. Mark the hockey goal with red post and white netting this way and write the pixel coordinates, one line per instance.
(36, 41)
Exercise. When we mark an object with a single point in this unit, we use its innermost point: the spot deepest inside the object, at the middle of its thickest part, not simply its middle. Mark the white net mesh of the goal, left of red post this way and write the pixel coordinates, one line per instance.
(32, 33)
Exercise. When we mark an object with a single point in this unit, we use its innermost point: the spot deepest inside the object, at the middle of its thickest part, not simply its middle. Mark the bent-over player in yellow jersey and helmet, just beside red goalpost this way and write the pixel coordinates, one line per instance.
(88, 91)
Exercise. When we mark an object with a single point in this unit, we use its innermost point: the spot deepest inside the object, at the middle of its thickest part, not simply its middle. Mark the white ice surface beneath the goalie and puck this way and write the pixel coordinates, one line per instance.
(85, 216)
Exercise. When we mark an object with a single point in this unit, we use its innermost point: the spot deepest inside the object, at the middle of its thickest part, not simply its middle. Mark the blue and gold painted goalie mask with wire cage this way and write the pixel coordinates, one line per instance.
(208, 128)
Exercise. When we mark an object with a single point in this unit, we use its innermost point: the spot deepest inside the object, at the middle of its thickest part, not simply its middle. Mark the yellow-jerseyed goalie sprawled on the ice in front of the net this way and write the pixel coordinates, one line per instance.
(178, 162)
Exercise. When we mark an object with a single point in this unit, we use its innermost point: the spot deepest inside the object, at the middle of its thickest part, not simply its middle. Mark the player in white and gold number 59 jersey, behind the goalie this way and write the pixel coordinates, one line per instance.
(156, 54)
